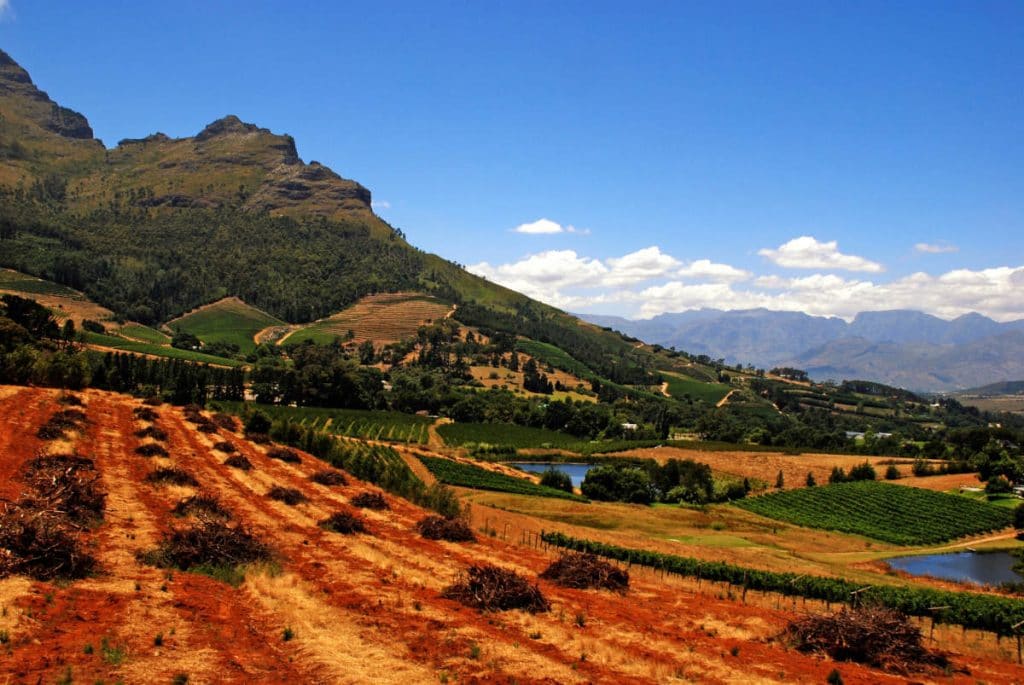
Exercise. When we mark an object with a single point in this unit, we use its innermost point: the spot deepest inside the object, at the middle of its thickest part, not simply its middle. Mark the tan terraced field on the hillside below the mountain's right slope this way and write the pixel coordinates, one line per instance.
(382, 319)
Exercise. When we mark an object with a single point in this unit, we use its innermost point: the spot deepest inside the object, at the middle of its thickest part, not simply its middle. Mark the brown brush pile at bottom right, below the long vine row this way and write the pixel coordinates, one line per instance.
(873, 635)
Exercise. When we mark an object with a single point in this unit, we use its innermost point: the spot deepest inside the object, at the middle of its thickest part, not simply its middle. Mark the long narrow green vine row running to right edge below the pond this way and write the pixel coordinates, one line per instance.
(988, 613)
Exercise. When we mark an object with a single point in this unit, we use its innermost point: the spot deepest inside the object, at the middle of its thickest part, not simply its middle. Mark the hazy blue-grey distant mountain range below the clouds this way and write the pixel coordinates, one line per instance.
(906, 349)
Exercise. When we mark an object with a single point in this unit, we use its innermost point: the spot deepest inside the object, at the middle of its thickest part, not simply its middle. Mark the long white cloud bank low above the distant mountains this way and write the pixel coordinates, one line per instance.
(651, 282)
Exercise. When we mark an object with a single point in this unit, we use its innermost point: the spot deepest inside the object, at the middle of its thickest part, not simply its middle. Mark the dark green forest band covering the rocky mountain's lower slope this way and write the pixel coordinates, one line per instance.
(150, 266)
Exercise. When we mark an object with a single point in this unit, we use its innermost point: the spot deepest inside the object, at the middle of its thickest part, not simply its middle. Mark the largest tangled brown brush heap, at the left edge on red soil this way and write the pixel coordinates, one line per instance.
(39, 535)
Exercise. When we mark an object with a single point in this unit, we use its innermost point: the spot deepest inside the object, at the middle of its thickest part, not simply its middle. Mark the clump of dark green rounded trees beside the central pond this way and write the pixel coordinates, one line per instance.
(645, 482)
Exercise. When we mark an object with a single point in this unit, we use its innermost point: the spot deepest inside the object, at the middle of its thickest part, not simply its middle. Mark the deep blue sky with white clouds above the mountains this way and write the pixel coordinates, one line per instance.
(789, 155)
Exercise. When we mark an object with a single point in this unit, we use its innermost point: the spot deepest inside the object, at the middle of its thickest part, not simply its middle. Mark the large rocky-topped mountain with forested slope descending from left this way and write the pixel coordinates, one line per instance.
(158, 227)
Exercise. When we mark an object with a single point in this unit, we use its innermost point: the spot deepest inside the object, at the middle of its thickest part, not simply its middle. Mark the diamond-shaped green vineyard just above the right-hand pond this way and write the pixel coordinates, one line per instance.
(890, 513)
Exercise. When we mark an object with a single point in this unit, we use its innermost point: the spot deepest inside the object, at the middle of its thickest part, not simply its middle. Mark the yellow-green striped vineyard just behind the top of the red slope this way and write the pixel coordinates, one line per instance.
(387, 426)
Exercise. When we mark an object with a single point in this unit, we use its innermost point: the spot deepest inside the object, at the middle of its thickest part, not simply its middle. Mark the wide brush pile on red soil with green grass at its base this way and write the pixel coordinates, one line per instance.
(208, 543)
